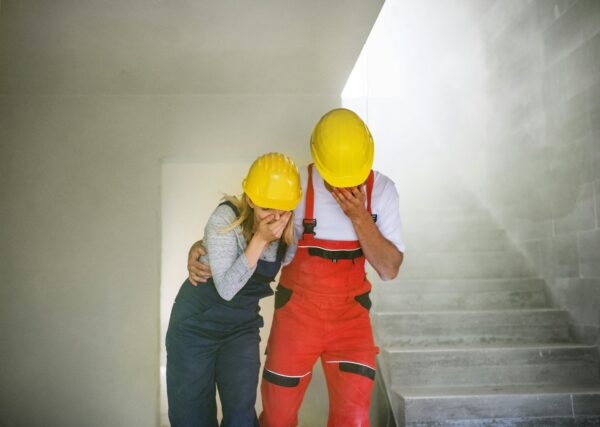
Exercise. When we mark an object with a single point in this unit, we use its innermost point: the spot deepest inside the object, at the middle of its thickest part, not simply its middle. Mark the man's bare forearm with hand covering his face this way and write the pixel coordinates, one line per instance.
(382, 254)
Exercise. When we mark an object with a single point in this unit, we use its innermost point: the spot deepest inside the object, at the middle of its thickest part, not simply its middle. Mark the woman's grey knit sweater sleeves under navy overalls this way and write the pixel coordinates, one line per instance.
(225, 253)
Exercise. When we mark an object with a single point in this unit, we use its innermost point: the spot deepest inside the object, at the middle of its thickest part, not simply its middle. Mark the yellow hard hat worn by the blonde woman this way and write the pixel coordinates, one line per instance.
(273, 182)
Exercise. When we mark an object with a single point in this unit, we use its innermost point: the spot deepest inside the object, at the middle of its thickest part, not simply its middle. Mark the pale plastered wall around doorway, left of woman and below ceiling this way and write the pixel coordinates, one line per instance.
(81, 242)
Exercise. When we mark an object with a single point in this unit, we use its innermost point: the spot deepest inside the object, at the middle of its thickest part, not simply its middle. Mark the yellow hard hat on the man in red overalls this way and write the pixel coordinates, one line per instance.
(342, 148)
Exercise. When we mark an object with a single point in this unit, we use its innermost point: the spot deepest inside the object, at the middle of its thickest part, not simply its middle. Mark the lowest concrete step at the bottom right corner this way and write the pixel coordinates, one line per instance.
(497, 406)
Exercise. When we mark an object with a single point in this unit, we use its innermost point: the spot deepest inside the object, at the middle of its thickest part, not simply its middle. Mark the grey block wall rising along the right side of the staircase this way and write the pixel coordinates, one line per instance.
(541, 158)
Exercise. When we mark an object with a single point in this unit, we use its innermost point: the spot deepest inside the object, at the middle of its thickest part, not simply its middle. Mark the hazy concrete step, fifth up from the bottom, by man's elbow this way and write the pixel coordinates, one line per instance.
(471, 265)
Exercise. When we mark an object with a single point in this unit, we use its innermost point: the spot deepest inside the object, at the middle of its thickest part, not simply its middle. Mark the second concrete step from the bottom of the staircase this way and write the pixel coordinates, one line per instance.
(479, 366)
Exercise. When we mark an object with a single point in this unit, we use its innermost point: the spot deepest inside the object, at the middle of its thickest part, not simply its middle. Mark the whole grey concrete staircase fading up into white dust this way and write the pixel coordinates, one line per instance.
(469, 337)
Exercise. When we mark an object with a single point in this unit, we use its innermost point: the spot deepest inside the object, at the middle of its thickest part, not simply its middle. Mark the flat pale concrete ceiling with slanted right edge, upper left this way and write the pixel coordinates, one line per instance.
(181, 46)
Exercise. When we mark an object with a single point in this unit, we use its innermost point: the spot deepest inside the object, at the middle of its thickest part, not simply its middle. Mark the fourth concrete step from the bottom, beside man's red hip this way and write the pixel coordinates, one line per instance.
(476, 294)
